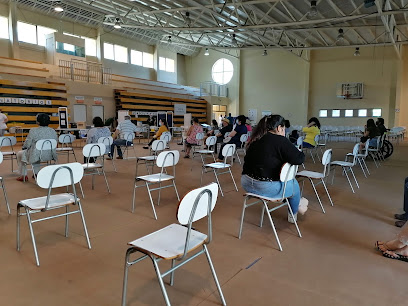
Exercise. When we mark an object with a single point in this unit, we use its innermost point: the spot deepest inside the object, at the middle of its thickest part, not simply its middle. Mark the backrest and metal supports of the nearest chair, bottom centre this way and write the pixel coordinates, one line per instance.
(194, 206)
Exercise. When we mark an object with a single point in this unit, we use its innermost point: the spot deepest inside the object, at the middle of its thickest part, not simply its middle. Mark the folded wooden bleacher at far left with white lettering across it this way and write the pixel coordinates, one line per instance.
(21, 101)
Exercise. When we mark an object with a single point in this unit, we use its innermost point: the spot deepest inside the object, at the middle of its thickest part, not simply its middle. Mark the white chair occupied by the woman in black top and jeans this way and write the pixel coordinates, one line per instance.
(287, 174)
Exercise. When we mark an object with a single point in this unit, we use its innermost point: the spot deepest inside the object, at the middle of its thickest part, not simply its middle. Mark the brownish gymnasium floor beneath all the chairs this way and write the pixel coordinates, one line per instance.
(334, 263)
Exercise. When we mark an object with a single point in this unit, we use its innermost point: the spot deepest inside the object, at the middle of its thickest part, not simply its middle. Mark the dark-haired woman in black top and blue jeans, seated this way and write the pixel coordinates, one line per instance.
(267, 151)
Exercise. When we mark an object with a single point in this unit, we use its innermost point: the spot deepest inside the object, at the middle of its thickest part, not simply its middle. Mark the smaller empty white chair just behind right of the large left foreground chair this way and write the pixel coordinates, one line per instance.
(96, 151)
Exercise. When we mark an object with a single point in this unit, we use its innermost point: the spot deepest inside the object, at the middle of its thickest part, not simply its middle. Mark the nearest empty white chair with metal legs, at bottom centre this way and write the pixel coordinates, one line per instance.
(175, 242)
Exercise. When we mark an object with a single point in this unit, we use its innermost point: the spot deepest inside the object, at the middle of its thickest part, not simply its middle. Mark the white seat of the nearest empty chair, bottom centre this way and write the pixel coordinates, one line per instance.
(168, 242)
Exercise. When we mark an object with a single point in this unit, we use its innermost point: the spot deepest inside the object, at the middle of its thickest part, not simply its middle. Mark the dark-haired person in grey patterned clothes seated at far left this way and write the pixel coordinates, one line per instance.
(29, 154)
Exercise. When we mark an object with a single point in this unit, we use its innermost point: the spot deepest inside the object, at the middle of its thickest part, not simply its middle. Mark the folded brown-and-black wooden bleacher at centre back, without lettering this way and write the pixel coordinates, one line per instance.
(135, 101)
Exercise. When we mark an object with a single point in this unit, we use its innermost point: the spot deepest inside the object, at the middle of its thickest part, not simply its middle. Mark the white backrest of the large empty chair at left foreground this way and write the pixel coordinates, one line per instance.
(55, 176)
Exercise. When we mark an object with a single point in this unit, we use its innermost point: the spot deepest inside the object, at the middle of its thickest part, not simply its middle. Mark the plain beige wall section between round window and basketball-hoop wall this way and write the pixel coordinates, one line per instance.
(277, 82)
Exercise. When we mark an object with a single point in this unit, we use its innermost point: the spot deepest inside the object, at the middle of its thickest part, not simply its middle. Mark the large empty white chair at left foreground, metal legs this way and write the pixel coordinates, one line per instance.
(51, 177)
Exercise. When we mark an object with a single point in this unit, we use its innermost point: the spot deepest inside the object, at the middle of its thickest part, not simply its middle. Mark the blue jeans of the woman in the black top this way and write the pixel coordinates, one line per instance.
(273, 190)
